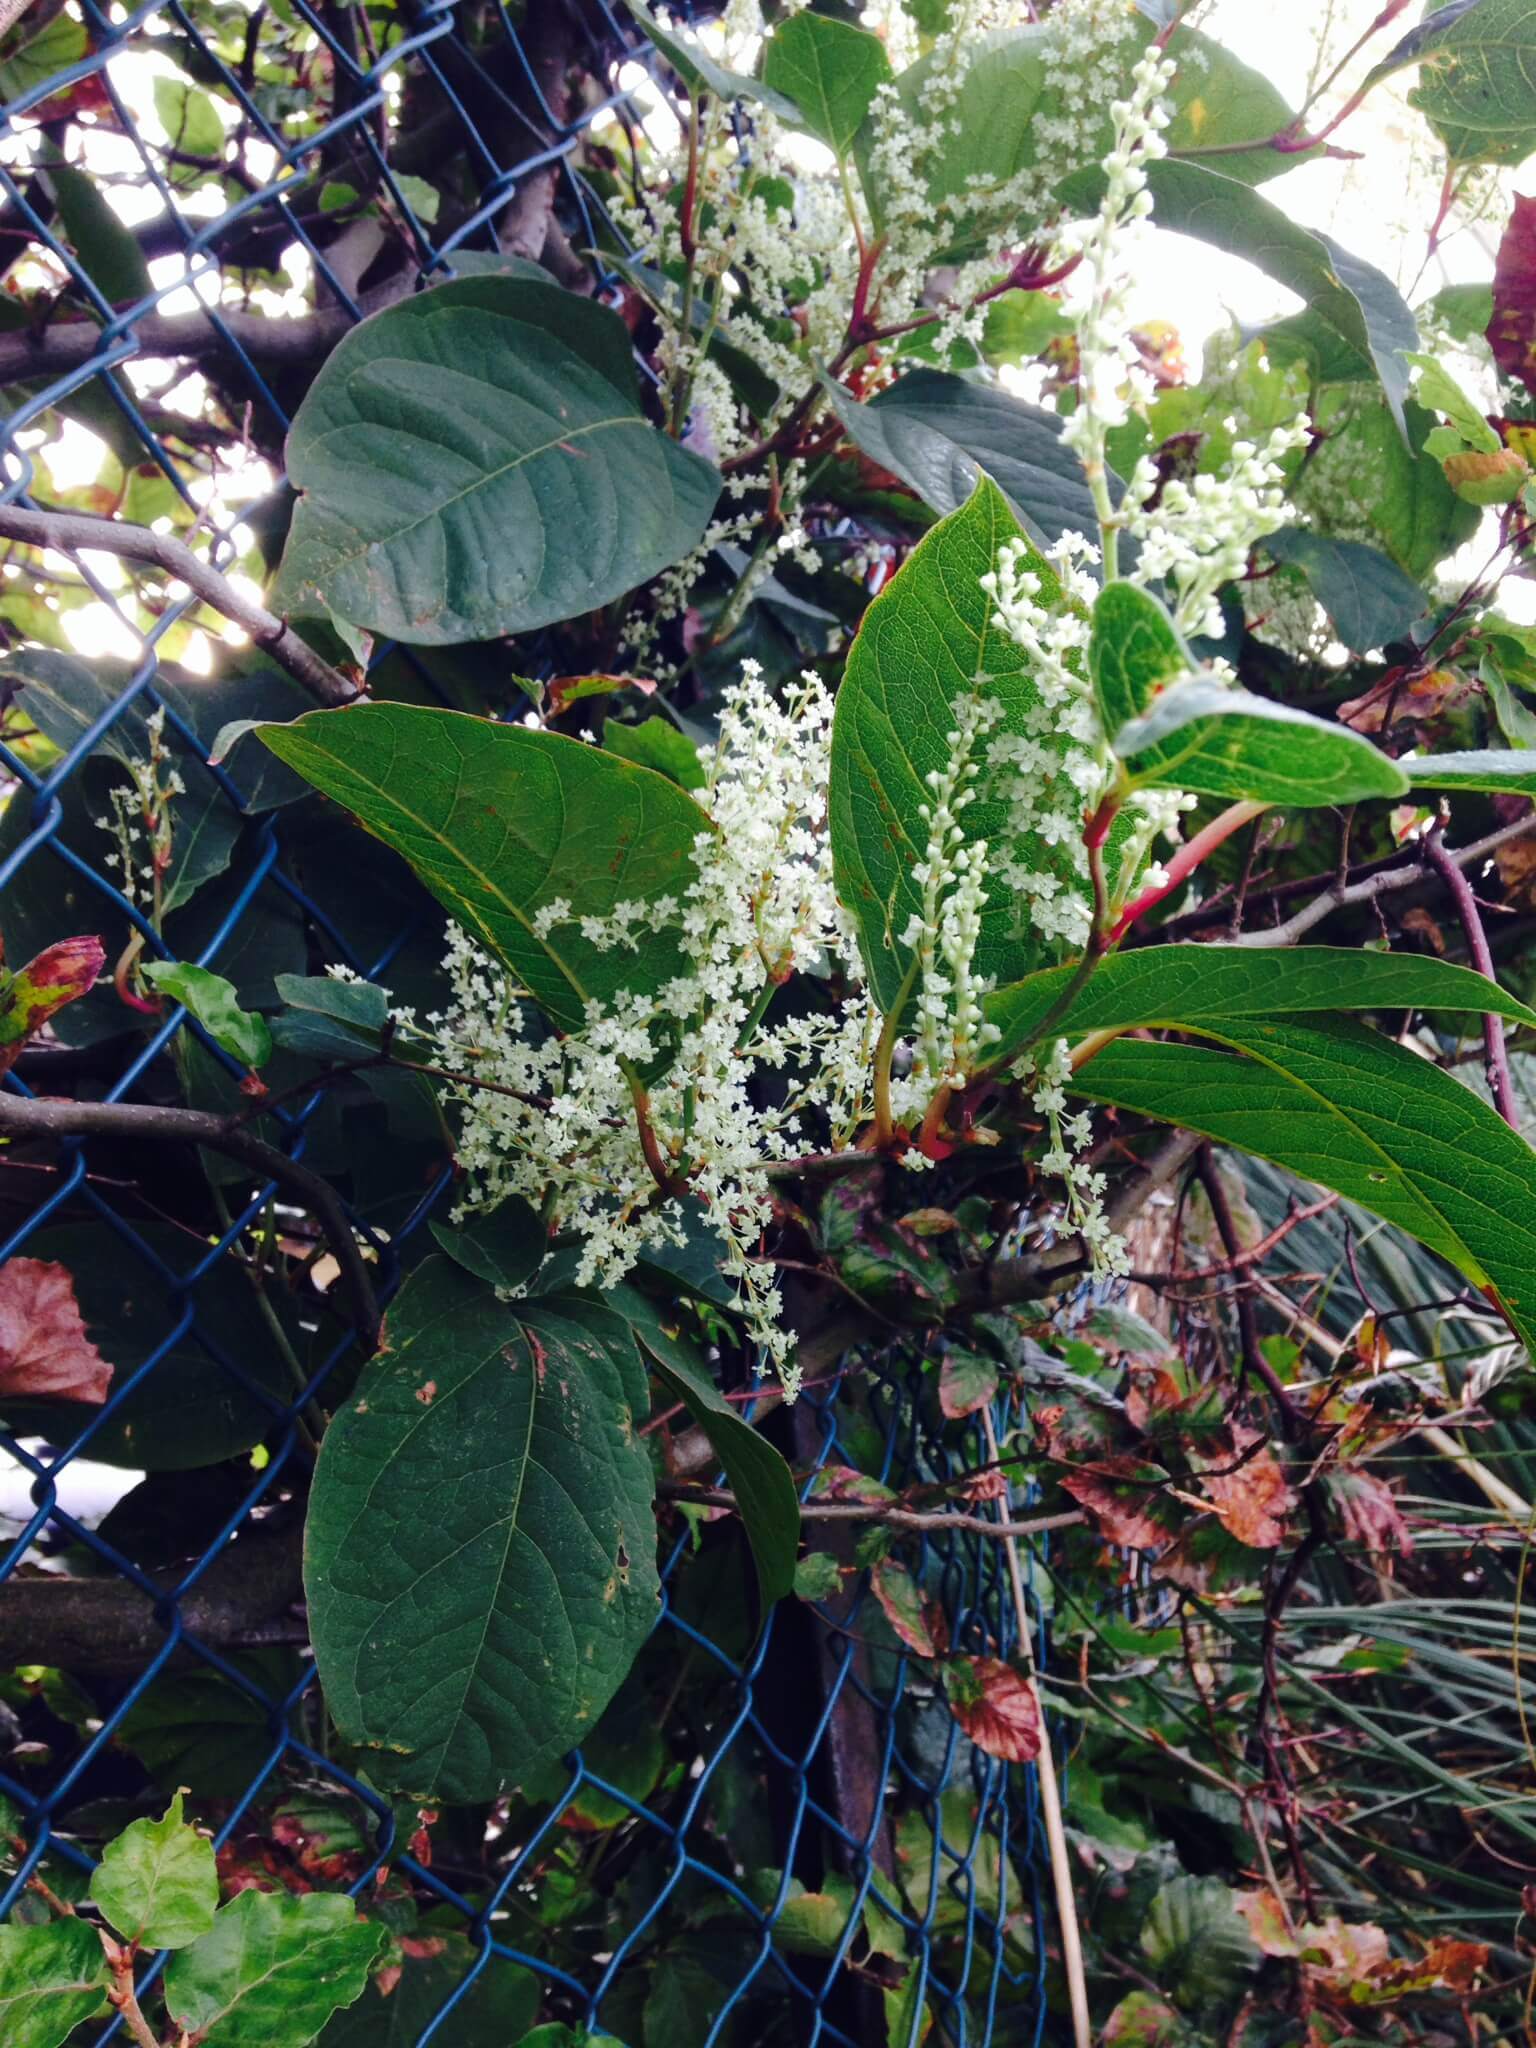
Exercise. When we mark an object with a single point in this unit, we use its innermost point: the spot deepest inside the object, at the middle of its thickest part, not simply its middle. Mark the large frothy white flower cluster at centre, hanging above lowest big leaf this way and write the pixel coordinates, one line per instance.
(558, 1119)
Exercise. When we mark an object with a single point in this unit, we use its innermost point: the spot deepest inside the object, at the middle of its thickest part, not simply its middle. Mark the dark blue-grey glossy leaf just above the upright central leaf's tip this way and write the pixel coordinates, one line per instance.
(941, 433)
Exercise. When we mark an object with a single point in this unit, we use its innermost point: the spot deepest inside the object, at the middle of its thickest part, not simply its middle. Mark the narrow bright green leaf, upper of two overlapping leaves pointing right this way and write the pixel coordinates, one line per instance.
(1185, 988)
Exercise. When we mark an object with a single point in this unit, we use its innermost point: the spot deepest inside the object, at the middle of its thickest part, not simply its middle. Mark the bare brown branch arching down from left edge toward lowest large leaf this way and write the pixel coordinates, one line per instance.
(58, 1119)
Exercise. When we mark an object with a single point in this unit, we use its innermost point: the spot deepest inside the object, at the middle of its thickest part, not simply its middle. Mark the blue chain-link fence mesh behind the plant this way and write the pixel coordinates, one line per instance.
(773, 1836)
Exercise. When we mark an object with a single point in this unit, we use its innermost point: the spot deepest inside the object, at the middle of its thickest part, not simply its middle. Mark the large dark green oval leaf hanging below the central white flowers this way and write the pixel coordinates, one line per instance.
(480, 1551)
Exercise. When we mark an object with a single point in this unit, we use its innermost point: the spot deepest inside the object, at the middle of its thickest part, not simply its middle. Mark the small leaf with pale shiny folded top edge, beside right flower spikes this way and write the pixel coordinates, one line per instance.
(1222, 742)
